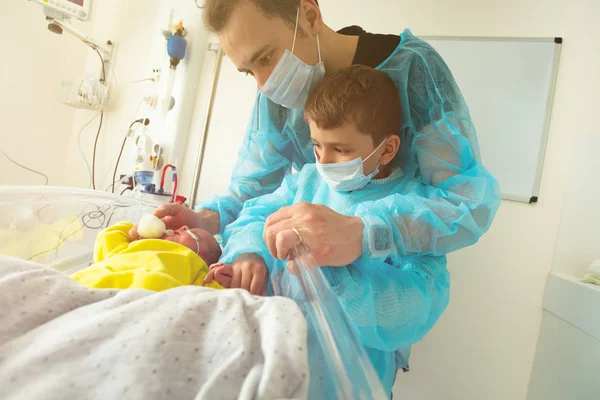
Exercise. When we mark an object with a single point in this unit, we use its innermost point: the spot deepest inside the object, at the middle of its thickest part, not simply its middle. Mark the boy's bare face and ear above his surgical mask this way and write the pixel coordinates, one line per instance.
(345, 143)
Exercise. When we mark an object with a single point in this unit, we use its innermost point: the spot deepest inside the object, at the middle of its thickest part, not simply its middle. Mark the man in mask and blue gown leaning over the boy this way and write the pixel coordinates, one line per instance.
(287, 48)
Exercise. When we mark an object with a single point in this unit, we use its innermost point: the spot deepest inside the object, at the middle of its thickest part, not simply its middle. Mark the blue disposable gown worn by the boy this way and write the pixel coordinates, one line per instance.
(392, 301)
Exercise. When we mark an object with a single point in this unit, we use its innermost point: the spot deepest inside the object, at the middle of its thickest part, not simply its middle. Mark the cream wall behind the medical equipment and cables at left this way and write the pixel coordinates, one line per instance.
(42, 132)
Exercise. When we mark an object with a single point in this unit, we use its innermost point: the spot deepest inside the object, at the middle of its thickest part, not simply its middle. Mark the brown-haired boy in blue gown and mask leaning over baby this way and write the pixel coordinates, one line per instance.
(393, 301)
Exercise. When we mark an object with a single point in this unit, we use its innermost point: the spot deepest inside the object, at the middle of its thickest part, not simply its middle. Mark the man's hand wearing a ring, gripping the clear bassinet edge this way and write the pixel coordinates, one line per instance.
(334, 240)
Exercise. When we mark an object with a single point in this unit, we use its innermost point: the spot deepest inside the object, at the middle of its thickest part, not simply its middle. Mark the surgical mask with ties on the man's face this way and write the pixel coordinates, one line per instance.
(292, 79)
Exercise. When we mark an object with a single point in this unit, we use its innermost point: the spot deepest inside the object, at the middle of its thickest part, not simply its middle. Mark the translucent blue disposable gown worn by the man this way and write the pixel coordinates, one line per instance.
(439, 147)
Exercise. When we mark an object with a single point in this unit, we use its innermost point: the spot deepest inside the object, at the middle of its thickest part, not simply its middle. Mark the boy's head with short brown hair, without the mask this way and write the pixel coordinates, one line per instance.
(355, 113)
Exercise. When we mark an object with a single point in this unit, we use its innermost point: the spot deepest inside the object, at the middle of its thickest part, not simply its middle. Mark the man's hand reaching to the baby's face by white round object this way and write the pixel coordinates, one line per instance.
(176, 215)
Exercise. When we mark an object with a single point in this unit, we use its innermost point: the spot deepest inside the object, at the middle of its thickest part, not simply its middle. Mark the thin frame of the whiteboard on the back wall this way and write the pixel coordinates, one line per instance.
(549, 104)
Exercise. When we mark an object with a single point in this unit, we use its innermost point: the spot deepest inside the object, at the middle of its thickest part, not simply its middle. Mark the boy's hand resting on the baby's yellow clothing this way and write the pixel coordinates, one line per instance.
(250, 273)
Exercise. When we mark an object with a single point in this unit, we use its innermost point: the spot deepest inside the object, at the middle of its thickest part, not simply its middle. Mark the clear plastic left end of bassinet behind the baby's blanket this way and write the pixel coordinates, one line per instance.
(58, 226)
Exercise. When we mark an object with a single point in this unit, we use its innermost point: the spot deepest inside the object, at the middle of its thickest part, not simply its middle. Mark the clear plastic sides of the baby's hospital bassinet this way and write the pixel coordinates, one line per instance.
(57, 227)
